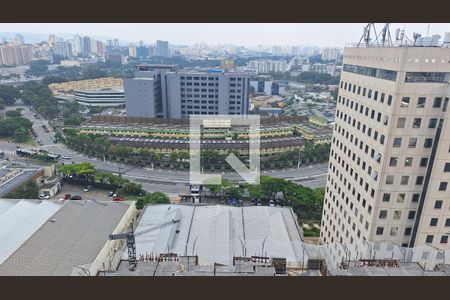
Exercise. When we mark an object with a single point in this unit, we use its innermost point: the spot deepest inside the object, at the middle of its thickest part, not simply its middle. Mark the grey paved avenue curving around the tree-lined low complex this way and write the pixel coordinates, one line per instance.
(172, 182)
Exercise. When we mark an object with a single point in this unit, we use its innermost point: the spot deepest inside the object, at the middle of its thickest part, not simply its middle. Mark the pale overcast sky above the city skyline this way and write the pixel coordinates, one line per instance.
(248, 34)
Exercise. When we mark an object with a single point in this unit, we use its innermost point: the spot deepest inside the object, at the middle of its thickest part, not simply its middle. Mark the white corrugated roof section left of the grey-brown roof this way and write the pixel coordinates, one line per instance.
(20, 221)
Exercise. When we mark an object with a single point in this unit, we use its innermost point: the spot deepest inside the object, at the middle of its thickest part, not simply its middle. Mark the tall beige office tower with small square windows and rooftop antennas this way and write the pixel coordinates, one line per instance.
(389, 166)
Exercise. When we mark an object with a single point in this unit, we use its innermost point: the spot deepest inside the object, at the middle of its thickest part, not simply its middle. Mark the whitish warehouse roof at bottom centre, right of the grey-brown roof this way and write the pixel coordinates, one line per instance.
(218, 233)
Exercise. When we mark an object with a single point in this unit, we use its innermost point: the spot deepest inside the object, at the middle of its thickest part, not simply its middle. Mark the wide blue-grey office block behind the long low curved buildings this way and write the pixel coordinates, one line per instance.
(161, 91)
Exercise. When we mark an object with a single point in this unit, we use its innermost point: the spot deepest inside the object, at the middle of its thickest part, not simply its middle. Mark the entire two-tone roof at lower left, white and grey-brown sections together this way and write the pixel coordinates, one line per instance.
(52, 238)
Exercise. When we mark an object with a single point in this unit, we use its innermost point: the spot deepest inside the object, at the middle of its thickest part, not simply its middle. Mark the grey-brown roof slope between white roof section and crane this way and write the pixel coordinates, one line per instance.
(72, 237)
